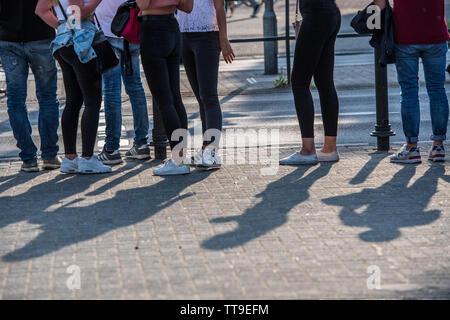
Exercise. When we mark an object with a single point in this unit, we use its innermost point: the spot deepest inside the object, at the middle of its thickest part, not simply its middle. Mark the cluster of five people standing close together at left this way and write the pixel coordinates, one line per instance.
(169, 30)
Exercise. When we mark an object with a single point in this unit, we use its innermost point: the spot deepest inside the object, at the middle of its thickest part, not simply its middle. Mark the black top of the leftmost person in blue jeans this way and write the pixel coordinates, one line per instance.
(19, 23)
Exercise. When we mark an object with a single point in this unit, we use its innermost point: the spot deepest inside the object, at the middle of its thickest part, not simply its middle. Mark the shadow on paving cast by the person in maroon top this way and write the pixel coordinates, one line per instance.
(392, 206)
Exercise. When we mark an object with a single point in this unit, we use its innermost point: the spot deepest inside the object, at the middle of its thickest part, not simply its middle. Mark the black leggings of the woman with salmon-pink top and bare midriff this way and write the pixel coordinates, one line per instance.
(160, 54)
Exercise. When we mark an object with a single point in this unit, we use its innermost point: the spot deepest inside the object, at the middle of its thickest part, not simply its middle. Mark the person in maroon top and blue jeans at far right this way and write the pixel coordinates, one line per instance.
(421, 33)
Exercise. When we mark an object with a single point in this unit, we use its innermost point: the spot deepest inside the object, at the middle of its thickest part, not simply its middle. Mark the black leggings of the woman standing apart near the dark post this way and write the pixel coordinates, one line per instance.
(314, 56)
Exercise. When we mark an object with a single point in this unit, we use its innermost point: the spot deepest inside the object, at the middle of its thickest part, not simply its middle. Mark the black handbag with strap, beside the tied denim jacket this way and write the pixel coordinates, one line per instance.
(106, 57)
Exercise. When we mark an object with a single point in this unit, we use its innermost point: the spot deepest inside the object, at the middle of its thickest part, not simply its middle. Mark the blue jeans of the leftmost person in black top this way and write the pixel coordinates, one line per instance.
(17, 58)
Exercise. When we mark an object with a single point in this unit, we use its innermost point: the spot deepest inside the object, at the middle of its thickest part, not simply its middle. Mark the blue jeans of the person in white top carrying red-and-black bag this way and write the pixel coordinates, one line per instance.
(112, 90)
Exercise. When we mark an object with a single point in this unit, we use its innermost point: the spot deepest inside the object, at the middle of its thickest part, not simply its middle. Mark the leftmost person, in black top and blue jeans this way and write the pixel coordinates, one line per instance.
(25, 43)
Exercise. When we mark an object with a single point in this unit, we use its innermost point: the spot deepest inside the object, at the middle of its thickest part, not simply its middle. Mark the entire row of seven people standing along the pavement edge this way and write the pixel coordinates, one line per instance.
(196, 31)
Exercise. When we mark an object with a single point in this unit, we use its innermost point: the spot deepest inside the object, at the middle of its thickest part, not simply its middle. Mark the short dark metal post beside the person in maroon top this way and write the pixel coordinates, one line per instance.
(383, 129)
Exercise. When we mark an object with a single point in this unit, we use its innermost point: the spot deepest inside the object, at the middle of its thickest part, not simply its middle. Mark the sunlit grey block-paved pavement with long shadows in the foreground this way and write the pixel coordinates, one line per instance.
(305, 232)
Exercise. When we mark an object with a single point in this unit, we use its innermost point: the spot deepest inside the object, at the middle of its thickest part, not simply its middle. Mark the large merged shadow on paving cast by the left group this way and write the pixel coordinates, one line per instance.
(84, 219)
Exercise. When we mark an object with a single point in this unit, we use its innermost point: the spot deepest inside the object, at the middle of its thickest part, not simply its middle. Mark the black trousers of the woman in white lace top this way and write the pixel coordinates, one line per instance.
(201, 55)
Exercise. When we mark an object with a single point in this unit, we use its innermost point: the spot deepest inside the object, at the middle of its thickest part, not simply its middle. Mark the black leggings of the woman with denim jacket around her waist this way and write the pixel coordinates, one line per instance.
(83, 85)
